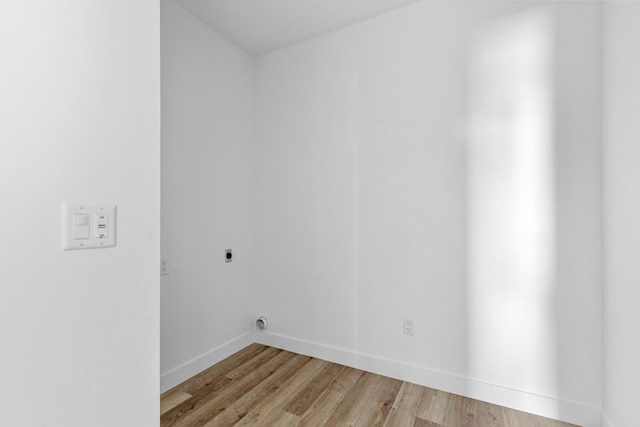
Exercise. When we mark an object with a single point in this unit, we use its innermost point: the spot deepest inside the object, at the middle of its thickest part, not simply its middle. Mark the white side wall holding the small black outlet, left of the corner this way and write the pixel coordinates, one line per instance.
(206, 197)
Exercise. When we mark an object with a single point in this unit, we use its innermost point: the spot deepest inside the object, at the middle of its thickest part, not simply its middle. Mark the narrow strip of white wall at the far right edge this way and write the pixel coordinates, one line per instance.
(621, 83)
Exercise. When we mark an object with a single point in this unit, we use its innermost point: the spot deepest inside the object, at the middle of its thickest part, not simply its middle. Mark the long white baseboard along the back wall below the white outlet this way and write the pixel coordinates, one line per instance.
(571, 412)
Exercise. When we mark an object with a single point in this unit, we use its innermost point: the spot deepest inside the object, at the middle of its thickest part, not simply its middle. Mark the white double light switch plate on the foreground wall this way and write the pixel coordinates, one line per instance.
(101, 227)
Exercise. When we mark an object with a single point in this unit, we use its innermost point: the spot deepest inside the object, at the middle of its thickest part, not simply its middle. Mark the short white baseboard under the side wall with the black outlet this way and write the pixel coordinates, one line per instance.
(185, 371)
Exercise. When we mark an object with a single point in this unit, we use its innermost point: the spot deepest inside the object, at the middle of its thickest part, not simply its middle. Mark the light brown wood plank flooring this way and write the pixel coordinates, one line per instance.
(265, 386)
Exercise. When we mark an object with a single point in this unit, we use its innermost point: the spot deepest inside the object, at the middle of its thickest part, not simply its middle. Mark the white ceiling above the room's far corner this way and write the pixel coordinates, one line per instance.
(260, 26)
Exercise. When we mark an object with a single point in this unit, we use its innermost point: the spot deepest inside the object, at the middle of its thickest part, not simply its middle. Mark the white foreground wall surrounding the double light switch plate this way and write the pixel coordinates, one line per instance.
(80, 108)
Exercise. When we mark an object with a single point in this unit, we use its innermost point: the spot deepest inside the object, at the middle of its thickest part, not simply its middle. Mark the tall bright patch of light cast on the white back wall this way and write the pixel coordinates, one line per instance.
(512, 319)
